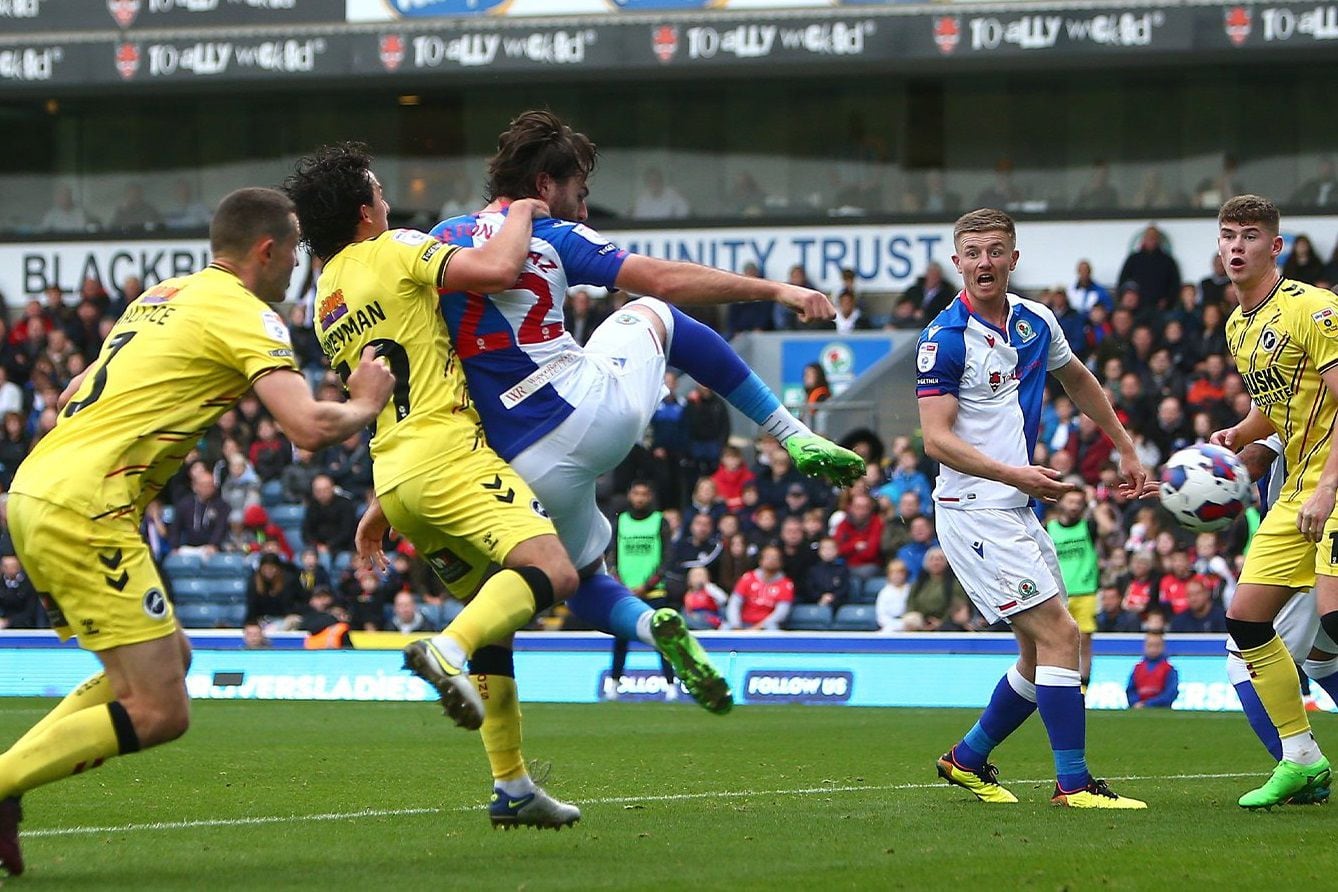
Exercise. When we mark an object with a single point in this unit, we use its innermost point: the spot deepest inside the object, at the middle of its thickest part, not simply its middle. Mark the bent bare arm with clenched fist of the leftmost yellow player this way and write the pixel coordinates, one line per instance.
(315, 425)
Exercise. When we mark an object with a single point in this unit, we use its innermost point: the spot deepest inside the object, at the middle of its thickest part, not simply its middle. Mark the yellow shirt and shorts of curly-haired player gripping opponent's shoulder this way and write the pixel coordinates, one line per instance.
(438, 481)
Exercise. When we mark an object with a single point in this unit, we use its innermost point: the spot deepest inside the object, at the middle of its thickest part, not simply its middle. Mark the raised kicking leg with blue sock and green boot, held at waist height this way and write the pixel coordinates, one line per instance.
(708, 359)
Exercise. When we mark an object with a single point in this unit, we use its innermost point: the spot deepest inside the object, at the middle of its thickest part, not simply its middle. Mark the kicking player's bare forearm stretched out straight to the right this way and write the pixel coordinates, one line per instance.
(692, 284)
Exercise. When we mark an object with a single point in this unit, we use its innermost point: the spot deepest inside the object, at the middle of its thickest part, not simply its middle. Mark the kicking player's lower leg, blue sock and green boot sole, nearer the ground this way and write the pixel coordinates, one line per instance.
(609, 606)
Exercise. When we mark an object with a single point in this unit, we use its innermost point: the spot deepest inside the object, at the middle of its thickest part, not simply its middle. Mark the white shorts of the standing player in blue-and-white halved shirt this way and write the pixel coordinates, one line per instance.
(1003, 557)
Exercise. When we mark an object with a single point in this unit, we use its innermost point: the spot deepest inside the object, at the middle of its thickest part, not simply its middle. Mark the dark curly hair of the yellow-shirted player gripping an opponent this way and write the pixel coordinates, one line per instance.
(328, 189)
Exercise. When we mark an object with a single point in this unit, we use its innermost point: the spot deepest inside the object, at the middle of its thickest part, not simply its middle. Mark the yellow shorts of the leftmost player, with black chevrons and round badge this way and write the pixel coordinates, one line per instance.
(97, 577)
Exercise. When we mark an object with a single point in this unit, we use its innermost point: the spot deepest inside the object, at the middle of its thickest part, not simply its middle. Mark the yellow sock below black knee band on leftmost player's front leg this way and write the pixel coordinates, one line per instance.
(70, 746)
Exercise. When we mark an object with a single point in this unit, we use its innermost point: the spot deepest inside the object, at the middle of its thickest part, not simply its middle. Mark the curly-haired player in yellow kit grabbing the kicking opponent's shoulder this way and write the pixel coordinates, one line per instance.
(437, 479)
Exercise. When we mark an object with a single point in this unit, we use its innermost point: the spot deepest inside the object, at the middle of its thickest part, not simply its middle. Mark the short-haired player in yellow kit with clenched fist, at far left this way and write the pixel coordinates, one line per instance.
(179, 358)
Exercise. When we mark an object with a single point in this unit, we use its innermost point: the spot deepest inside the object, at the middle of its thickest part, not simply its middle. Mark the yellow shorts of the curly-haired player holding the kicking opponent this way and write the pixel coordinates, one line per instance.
(465, 517)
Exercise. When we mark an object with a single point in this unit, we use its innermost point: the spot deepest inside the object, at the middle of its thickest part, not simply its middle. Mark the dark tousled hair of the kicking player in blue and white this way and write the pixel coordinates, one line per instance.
(537, 142)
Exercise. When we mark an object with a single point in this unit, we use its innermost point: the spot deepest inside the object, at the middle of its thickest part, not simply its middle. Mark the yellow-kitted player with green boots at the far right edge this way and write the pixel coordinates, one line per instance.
(1285, 339)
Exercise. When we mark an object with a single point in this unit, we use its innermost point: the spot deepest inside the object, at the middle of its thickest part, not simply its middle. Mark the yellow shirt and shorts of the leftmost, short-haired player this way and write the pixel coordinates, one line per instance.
(179, 358)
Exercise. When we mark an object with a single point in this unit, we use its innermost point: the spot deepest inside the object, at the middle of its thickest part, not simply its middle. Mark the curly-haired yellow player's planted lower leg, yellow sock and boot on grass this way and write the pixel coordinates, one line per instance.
(517, 800)
